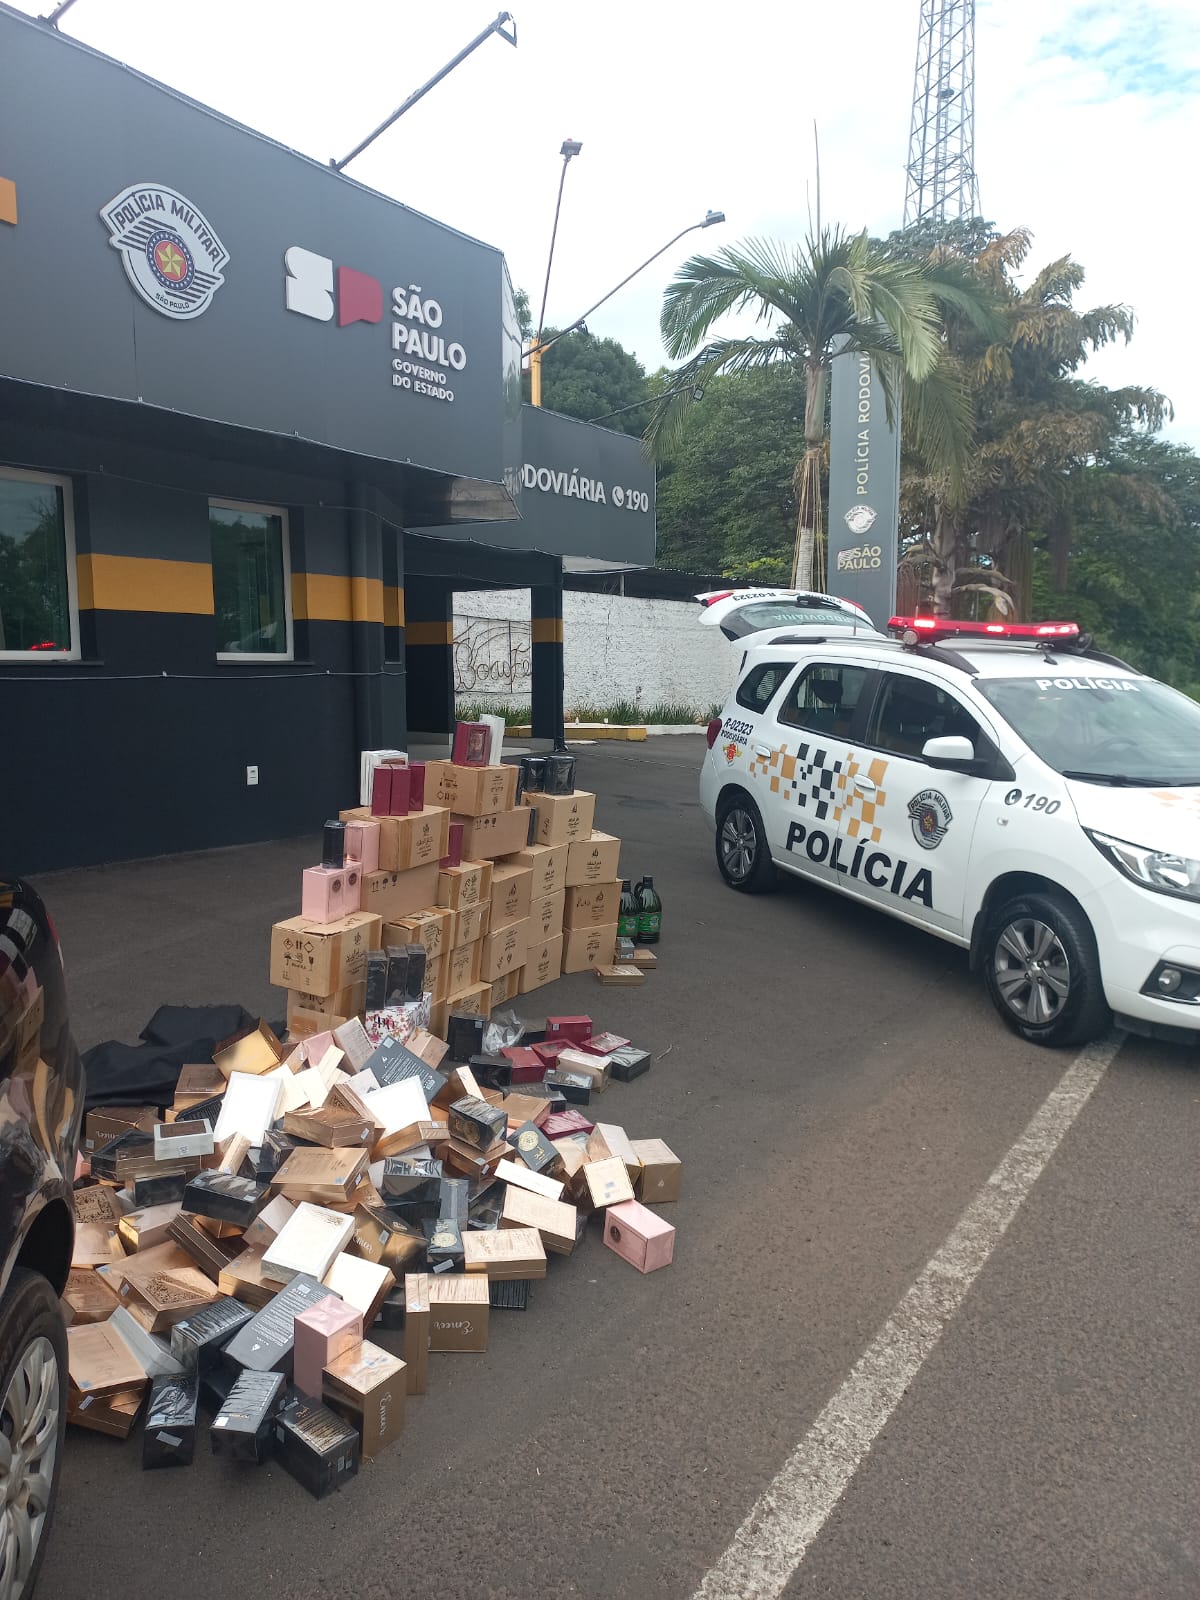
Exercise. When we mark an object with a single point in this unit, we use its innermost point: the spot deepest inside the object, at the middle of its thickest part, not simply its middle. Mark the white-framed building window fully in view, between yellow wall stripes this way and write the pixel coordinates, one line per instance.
(252, 582)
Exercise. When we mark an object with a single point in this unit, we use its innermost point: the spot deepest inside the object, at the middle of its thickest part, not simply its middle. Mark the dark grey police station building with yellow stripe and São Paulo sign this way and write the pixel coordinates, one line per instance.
(258, 425)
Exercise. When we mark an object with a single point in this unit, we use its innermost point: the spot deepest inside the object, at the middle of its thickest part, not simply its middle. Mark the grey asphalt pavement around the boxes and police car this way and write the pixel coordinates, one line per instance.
(839, 1090)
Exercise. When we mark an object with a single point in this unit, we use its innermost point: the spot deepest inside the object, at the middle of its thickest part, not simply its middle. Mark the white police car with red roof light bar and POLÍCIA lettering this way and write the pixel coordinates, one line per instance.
(1006, 788)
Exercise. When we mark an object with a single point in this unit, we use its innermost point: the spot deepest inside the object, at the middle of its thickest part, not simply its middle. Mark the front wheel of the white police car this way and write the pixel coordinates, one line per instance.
(1044, 972)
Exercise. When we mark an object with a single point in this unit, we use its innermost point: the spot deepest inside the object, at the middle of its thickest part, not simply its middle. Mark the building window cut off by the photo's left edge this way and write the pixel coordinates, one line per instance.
(39, 612)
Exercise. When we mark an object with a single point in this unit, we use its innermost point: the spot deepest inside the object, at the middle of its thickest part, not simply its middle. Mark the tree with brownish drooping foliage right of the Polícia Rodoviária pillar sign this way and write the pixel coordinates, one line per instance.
(1038, 425)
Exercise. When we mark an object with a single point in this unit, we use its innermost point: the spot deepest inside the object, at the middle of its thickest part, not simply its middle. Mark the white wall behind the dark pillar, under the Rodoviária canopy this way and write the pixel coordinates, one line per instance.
(615, 647)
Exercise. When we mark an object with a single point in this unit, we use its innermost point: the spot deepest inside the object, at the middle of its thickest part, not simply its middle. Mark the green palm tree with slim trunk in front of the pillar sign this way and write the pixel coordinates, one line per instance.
(838, 292)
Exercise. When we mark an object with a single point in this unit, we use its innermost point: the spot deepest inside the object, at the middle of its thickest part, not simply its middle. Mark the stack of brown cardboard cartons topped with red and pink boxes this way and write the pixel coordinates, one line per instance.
(450, 894)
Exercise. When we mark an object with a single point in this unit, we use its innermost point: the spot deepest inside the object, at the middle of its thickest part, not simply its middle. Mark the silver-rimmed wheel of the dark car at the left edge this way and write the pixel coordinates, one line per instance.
(33, 1423)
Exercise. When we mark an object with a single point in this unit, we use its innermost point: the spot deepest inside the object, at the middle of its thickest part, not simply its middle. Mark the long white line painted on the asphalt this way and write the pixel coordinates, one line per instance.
(785, 1522)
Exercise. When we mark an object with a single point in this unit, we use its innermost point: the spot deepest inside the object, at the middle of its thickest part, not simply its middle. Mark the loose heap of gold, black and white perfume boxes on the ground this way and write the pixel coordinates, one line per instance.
(276, 1258)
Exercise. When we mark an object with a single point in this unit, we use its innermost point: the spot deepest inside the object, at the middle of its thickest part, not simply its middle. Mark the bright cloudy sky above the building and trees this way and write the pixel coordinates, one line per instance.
(1087, 129)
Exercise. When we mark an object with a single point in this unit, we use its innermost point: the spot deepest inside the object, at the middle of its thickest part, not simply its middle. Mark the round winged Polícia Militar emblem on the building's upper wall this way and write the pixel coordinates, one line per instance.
(170, 252)
